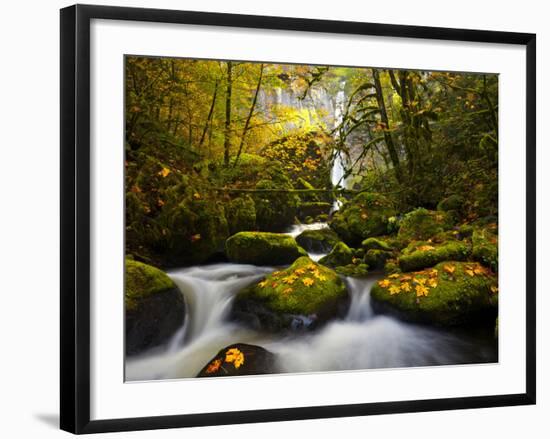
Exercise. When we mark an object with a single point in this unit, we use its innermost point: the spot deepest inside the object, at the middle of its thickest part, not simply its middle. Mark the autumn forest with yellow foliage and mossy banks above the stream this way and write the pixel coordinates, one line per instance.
(218, 147)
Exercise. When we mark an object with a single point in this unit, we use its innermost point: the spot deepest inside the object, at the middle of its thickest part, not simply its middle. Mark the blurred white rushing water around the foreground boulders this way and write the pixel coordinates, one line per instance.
(360, 340)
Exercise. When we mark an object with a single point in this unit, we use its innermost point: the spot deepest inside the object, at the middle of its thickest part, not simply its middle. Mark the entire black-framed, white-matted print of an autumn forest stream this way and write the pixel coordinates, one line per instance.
(318, 218)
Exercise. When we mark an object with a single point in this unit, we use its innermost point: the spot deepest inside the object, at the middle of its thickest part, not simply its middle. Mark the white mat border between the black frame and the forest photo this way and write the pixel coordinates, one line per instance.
(112, 398)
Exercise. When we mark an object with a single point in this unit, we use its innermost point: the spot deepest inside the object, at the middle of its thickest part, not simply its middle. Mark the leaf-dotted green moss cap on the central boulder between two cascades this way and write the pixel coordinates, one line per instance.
(304, 288)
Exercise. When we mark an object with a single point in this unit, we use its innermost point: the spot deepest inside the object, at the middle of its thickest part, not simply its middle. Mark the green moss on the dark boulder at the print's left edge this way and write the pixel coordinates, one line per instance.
(143, 280)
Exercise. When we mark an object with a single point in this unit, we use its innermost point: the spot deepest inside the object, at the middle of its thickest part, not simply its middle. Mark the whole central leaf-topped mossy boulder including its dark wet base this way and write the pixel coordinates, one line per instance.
(301, 297)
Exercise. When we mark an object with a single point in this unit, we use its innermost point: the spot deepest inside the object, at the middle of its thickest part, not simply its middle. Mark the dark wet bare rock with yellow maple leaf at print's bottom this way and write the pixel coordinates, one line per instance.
(240, 359)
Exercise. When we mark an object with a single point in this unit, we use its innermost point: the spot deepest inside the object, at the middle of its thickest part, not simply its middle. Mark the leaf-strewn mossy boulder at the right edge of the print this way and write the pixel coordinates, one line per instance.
(450, 294)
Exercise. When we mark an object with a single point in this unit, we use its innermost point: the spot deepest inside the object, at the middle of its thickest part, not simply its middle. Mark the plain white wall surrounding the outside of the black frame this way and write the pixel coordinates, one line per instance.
(30, 204)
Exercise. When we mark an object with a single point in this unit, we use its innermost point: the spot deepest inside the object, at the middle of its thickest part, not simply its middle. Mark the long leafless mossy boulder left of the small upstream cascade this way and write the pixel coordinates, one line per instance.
(263, 248)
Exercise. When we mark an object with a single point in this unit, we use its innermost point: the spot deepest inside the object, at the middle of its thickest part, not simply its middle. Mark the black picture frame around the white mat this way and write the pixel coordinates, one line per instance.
(75, 217)
